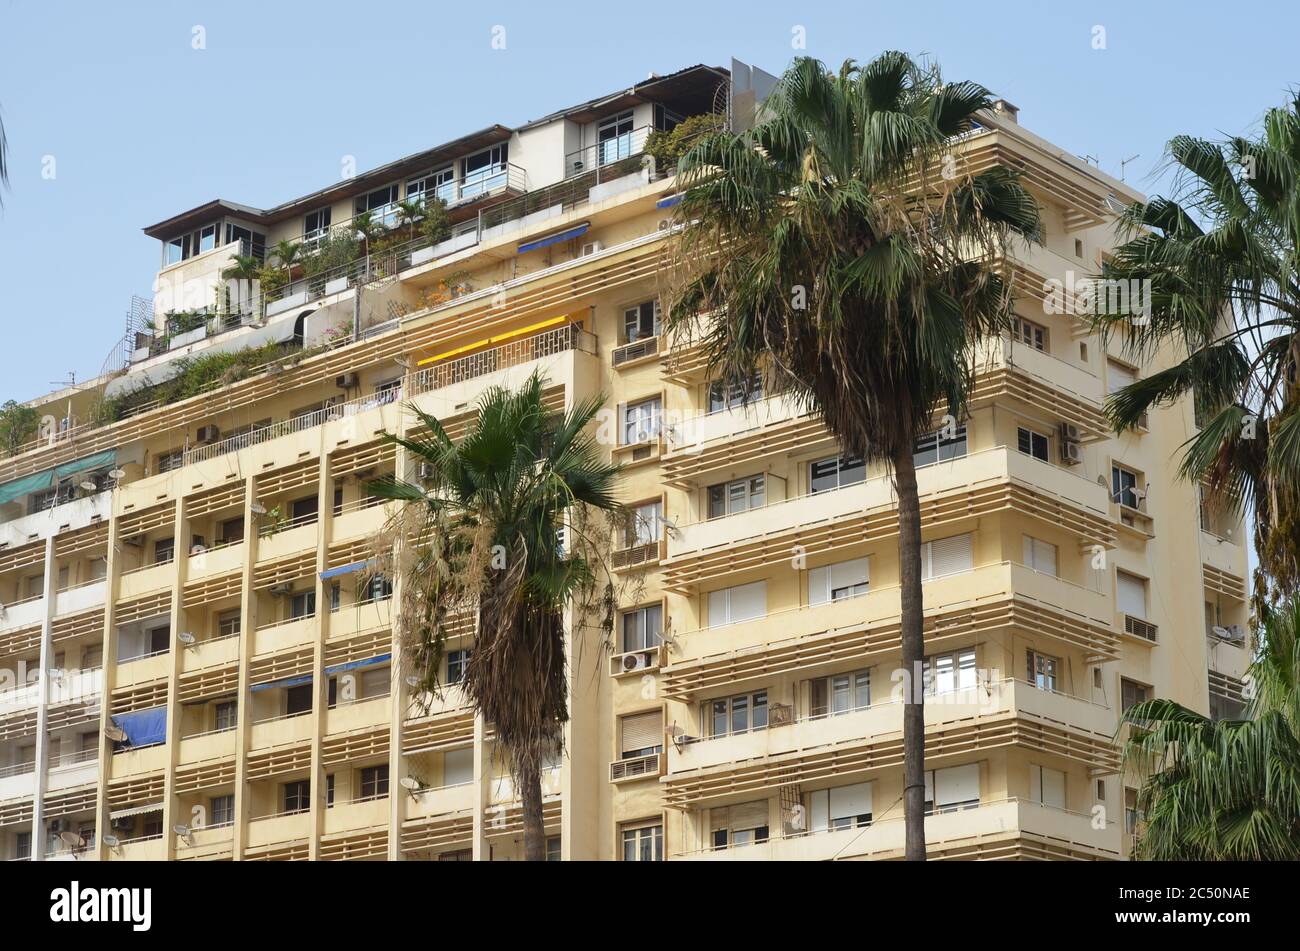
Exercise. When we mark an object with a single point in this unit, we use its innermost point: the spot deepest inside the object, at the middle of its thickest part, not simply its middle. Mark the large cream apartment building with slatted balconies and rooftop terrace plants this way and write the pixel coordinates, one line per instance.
(201, 652)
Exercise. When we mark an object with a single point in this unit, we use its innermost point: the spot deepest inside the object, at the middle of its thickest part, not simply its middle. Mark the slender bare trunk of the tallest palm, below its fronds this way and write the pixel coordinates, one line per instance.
(913, 653)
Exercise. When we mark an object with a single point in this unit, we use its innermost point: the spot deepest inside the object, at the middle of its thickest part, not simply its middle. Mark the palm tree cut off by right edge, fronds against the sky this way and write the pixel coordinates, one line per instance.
(1223, 257)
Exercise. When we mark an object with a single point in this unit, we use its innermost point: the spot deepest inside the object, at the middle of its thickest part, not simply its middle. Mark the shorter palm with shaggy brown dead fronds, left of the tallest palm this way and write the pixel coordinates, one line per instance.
(487, 520)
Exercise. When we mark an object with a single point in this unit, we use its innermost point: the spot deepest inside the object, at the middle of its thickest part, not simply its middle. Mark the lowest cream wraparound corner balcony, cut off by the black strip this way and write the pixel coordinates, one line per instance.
(1009, 828)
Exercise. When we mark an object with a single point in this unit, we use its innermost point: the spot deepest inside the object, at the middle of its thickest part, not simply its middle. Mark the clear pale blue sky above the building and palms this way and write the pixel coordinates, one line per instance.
(141, 125)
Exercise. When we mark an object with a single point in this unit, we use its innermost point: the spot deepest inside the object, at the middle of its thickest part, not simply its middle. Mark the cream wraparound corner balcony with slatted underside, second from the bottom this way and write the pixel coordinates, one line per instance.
(996, 714)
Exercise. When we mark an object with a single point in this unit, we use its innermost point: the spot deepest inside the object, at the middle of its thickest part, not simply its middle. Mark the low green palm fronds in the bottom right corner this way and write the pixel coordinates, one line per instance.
(1230, 789)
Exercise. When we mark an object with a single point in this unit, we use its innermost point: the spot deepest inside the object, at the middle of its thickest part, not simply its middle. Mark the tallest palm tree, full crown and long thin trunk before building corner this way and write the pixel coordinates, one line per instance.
(859, 273)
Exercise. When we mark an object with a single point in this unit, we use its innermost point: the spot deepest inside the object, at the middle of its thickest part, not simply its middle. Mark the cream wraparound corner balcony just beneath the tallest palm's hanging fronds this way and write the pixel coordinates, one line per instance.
(998, 480)
